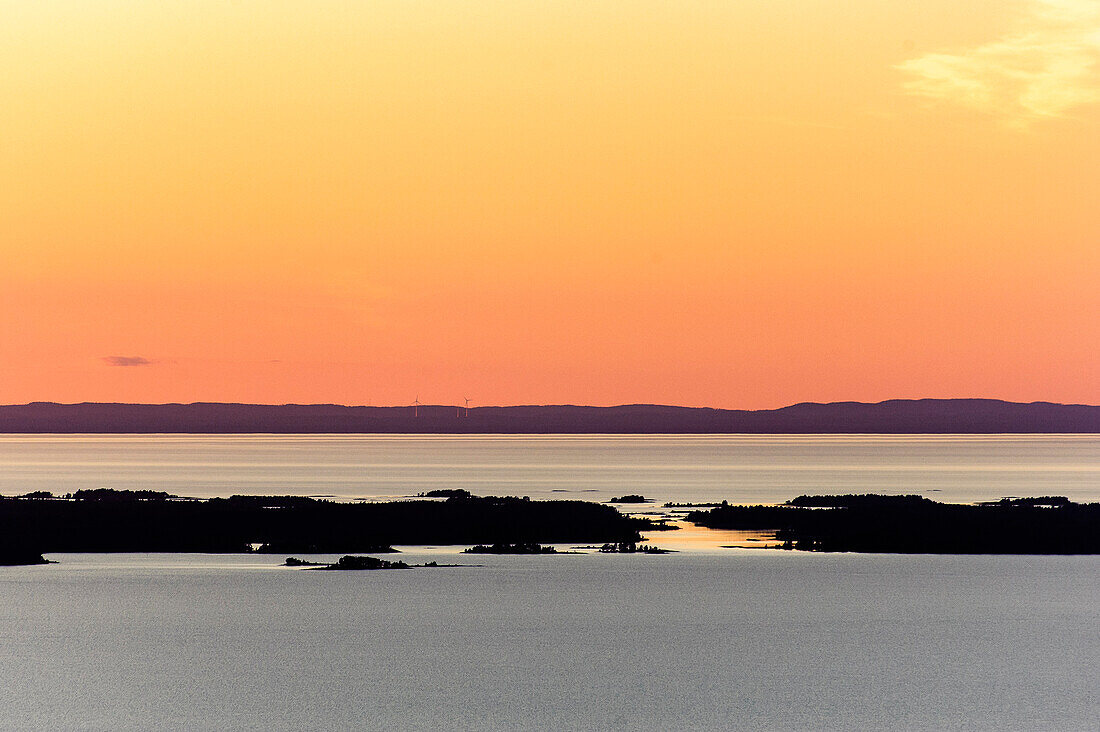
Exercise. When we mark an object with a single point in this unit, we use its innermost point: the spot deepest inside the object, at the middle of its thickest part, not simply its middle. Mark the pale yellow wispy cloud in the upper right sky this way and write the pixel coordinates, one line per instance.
(1047, 70)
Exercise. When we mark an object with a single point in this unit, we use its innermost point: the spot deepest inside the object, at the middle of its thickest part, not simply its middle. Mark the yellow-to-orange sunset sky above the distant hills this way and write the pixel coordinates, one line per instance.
(593, 202)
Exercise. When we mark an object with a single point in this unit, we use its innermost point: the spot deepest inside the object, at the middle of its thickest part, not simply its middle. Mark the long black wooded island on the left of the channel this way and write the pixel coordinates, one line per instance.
(125, 521)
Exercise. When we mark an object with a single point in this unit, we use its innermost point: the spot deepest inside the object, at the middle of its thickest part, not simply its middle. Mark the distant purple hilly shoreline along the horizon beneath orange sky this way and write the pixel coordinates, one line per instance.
(895, 417)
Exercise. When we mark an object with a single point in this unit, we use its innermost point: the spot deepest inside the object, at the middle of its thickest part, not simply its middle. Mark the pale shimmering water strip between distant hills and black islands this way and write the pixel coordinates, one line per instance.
(742, 468)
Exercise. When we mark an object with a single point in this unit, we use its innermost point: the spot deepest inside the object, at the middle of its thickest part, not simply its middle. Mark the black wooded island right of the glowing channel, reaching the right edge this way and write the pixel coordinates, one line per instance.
(911, 525)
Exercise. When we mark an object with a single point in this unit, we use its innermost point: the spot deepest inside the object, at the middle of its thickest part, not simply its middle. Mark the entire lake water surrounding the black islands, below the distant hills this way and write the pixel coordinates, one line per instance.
(707, 639)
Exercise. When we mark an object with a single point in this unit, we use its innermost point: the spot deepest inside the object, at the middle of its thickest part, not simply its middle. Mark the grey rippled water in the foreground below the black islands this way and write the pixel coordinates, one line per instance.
(705, 641)
